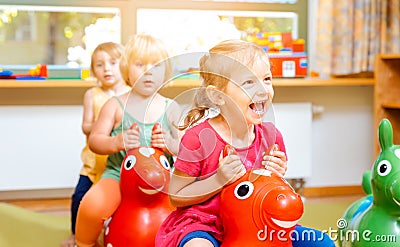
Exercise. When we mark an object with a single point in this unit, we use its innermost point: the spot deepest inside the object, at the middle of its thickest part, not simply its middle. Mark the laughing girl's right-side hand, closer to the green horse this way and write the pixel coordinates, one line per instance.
(275, 161)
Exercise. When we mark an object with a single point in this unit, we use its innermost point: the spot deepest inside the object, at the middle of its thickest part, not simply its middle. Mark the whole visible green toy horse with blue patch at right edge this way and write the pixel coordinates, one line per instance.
(373, 221)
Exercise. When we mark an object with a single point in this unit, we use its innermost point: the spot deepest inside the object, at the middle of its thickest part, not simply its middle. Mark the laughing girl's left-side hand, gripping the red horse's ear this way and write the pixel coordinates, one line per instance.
(230, 168)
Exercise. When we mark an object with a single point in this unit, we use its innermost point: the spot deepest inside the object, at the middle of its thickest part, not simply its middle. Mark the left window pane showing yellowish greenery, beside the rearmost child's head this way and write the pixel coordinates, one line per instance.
(55, 35)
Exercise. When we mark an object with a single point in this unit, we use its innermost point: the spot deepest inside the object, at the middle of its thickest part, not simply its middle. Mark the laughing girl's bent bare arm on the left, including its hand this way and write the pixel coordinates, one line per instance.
(186, 190)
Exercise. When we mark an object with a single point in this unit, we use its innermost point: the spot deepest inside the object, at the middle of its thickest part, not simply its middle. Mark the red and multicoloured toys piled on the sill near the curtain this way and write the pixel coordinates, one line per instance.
(287, 56)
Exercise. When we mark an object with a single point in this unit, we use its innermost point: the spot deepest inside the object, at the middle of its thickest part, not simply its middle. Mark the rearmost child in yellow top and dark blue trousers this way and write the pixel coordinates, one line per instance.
(105, 68)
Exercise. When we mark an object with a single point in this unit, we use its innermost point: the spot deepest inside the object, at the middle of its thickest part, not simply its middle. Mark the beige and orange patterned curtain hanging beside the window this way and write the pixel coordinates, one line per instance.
(351, 32)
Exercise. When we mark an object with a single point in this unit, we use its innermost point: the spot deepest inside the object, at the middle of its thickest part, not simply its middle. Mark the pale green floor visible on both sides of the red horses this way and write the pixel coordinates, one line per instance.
(21, 227)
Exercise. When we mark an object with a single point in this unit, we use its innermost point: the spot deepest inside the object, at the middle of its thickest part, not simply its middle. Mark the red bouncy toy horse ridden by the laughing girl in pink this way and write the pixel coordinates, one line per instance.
(260, 209)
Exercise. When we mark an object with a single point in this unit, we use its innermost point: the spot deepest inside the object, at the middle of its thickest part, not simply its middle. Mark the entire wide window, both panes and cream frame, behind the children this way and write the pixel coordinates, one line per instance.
(32, 32)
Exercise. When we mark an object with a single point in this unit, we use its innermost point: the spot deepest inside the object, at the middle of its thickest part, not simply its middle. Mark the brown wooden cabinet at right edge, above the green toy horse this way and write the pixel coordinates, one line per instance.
(387, 94)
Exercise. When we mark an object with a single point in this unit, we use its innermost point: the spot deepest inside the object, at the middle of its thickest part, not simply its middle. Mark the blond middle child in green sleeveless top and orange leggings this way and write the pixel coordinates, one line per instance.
(126, 122)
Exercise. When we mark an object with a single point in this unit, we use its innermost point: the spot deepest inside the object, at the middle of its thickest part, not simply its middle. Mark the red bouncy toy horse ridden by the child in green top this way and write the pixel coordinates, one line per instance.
(145, 175)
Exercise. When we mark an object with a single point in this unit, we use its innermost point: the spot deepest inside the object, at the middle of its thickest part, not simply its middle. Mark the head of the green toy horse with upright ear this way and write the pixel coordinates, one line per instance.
(385, 175)
